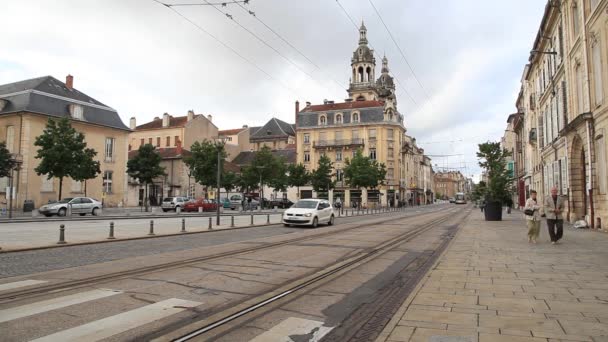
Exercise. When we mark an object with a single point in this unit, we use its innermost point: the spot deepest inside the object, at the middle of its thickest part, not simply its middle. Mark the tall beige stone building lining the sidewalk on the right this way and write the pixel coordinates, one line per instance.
(564, 106)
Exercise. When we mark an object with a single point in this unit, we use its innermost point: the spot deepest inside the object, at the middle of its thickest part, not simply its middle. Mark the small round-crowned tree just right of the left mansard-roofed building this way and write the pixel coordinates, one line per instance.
(145, 166)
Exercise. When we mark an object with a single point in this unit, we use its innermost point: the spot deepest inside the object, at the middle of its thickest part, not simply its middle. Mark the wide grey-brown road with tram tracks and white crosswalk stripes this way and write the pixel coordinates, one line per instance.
(165, 287)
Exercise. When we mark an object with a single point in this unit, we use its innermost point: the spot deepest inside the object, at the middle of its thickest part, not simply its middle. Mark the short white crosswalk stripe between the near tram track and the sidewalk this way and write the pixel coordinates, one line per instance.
(283, 331)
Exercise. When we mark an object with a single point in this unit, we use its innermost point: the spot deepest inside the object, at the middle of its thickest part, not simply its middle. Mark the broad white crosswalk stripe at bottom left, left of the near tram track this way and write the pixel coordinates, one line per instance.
(107, 327)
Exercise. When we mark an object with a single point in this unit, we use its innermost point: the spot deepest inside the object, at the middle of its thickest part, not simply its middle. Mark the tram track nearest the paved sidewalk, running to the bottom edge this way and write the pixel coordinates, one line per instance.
(218, 324)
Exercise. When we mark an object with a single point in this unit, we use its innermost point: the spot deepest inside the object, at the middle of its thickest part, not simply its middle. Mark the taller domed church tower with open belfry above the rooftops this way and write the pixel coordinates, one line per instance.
(363, 64)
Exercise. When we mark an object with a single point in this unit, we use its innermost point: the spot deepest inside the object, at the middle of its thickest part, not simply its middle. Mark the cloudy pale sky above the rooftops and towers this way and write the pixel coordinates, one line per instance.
(457, 63)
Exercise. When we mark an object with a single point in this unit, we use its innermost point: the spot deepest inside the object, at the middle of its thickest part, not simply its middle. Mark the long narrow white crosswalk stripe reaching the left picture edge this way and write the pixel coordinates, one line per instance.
(53, 304)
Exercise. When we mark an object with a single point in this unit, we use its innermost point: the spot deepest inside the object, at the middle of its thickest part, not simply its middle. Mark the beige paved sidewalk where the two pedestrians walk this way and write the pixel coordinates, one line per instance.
(492, 285)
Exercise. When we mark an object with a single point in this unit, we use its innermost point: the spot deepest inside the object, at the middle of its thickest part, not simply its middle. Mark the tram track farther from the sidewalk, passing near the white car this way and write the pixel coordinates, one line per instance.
(13, 296)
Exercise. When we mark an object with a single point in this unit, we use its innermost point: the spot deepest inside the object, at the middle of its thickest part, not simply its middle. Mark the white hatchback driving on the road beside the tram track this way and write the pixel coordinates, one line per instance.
(309, 212)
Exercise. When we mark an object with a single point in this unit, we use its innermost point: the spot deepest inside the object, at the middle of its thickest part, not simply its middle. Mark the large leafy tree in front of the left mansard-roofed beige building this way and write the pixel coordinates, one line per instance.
(62, 151)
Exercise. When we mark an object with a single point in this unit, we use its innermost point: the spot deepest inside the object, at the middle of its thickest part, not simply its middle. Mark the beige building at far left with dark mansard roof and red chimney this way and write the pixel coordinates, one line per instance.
(26, 107)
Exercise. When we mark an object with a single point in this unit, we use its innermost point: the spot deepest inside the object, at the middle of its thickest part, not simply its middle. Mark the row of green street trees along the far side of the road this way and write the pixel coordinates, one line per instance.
(64, 153)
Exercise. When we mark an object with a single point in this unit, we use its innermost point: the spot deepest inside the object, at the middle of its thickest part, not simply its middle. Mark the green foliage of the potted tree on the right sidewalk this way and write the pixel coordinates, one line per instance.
(494, 160)
